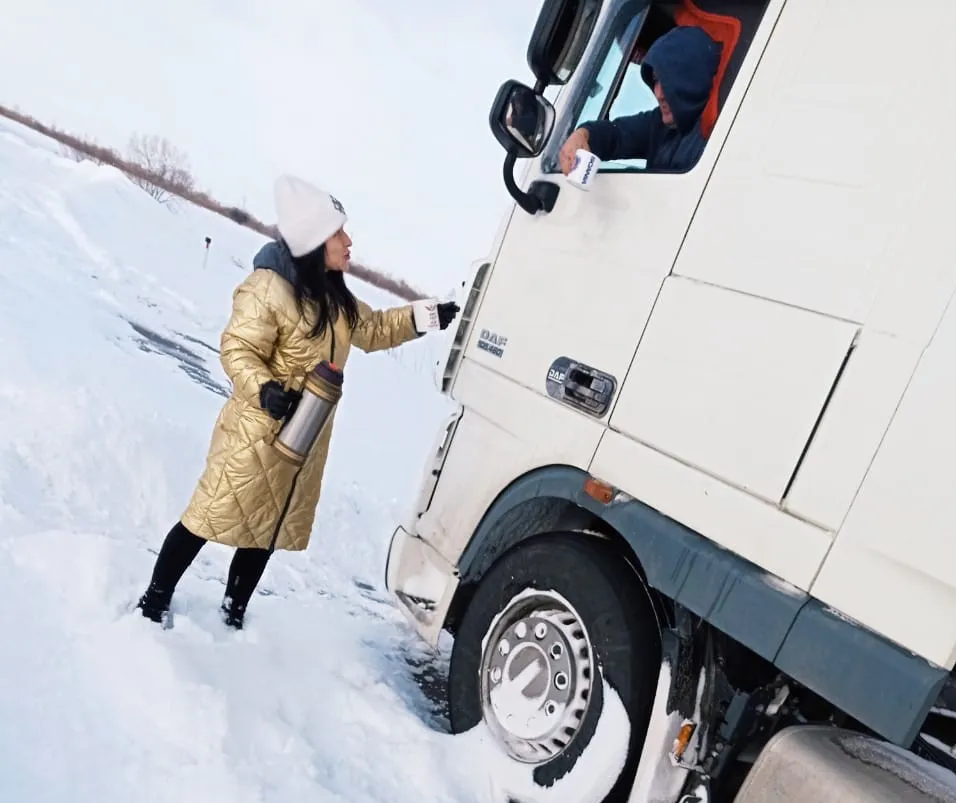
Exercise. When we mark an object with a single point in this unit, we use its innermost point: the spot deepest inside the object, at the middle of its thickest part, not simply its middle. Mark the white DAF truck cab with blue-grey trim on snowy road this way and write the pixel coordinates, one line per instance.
(704, 447)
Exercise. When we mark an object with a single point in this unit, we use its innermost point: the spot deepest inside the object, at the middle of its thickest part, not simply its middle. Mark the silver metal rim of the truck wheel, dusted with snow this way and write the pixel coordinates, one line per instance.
(536, 675)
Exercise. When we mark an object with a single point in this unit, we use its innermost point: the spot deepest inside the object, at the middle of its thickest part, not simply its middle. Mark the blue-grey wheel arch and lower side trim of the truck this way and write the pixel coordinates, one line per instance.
(885, 687)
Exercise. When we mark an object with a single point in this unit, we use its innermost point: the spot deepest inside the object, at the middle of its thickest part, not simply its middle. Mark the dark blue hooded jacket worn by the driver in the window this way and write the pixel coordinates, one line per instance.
(685, 61)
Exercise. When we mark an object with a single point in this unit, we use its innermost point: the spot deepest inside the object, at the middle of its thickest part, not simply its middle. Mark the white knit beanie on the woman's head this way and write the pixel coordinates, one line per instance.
(307, 216)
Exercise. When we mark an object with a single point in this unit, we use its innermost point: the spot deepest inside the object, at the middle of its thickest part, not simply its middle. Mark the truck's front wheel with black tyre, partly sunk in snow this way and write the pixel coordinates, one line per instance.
(574, 606)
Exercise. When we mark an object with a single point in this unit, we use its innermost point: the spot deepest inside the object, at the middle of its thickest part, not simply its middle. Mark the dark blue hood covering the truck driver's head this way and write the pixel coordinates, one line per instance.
(685, 61)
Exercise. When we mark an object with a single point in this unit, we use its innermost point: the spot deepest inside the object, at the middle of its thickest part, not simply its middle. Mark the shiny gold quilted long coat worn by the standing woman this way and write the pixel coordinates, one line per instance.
(247, 496)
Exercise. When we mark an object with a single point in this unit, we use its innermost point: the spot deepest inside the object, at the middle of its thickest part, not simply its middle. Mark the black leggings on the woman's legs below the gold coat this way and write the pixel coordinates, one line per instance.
(181, 547)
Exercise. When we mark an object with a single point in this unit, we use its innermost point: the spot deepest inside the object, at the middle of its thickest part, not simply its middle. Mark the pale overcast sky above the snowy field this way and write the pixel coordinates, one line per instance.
(383, 103)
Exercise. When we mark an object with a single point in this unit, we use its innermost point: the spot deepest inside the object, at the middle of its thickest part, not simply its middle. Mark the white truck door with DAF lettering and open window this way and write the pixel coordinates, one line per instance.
(580, 282)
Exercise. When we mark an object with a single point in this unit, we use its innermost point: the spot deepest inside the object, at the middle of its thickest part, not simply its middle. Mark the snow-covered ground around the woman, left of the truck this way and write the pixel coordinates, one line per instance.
(109, 324)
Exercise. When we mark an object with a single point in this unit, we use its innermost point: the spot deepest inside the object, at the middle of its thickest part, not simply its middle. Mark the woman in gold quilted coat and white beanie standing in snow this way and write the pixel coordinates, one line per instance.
(291, 313)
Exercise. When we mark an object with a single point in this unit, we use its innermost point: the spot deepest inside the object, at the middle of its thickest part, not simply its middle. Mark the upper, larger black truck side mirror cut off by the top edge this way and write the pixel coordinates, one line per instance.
(559, 39)
